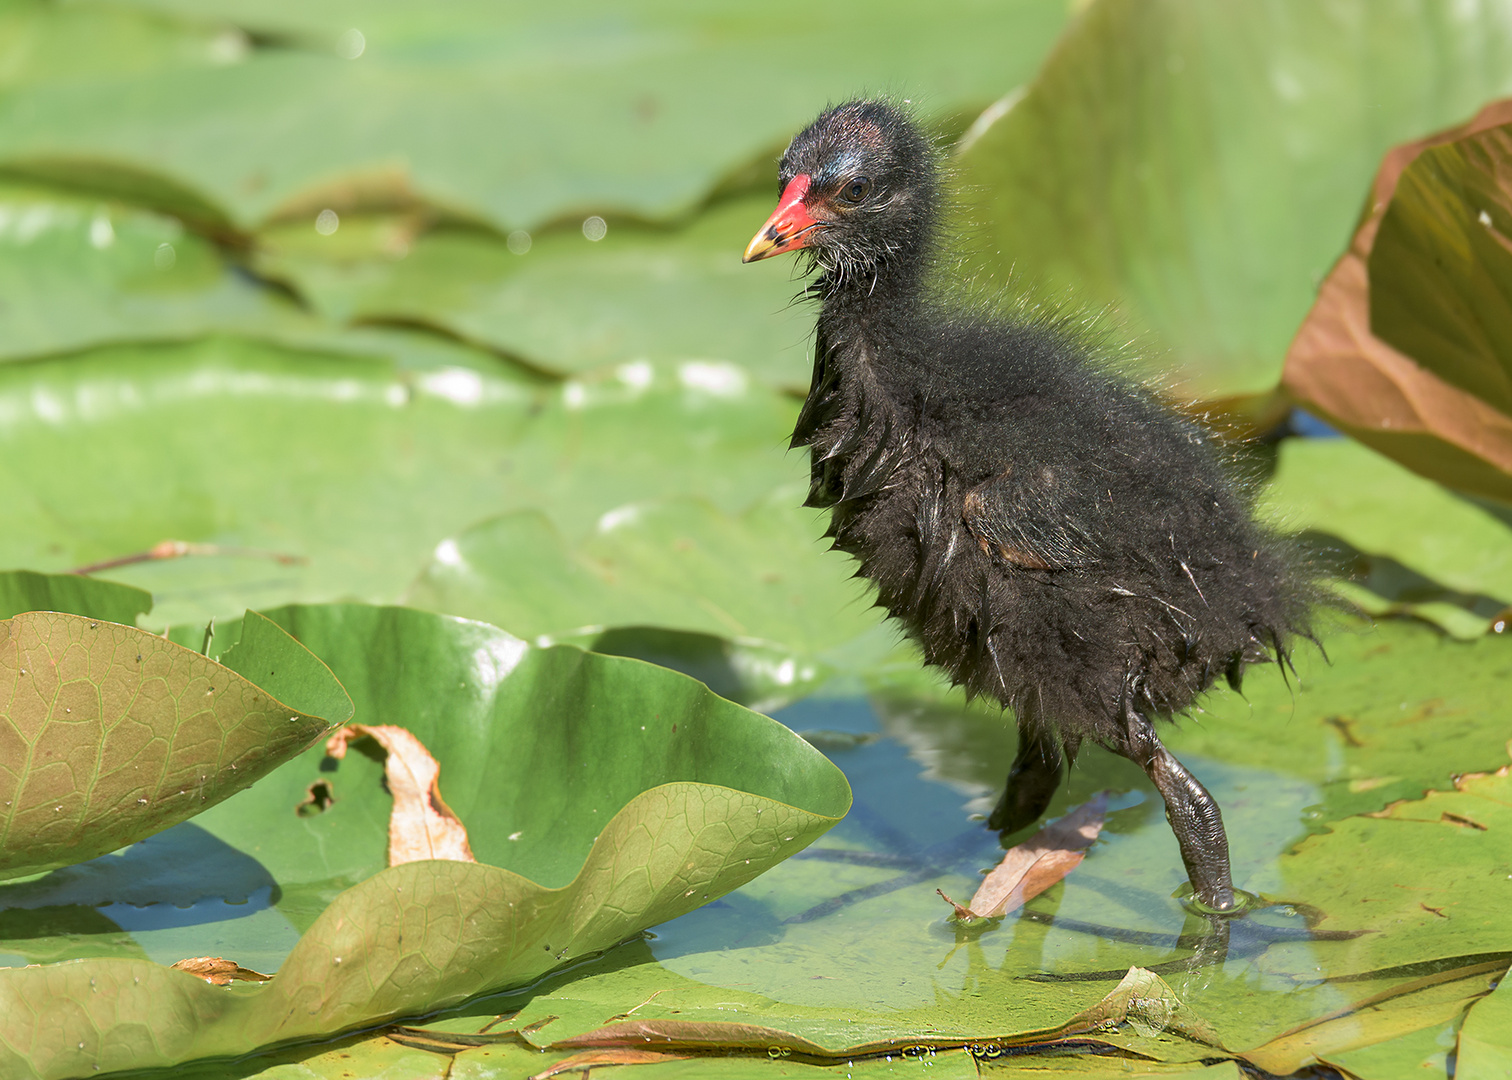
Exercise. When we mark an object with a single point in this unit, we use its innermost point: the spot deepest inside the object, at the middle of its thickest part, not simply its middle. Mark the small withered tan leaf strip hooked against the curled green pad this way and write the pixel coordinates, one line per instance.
(421, 825)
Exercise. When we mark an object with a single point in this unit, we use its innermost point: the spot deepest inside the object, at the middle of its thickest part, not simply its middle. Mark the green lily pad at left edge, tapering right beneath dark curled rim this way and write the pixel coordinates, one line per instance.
(81, 273)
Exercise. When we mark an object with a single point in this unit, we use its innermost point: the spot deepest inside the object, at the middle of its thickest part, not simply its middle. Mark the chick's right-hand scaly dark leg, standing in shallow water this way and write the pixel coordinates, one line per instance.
(1191, 810)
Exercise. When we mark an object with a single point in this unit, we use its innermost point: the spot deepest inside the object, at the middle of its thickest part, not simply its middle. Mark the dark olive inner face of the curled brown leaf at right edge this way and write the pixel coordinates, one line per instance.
(1442, 265)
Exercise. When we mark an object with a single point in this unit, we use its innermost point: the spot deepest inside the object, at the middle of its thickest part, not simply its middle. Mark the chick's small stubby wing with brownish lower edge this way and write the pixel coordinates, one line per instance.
(1030, 518)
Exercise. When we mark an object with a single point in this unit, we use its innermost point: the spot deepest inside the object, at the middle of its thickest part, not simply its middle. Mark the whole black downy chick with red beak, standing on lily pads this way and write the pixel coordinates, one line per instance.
(1047, 532)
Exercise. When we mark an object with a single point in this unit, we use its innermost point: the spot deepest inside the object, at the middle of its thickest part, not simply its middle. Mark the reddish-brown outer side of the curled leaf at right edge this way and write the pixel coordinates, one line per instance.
(1339, 370)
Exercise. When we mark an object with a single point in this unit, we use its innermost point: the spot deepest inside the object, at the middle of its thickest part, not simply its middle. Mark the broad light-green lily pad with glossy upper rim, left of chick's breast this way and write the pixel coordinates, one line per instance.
(306, 476)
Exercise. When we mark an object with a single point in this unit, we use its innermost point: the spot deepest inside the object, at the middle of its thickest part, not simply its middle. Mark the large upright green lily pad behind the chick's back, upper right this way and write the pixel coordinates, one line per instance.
(1200, 166)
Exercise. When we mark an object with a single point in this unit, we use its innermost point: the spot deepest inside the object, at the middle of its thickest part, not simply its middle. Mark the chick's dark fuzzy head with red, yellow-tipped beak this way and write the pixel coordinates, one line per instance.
(858, 190)
